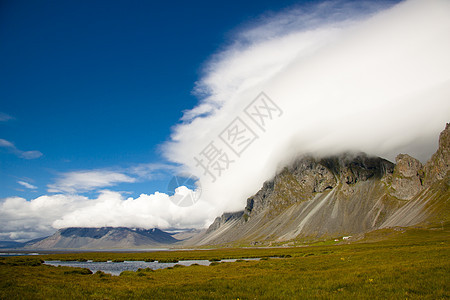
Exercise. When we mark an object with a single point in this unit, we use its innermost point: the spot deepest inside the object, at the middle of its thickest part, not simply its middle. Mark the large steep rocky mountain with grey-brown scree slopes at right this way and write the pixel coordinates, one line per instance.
(341, 195)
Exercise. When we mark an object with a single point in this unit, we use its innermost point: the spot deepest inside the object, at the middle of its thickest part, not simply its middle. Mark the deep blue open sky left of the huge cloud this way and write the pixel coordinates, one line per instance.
(98, 84)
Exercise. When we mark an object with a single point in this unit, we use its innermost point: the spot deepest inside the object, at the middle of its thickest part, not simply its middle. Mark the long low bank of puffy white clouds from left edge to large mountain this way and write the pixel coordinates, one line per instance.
(24, 220)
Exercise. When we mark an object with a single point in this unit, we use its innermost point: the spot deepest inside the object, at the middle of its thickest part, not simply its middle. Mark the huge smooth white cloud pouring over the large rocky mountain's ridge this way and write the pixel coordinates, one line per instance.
(375, 83)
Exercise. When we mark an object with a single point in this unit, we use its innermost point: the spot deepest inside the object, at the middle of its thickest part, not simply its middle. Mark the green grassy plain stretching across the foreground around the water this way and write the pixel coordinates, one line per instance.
(408, 264)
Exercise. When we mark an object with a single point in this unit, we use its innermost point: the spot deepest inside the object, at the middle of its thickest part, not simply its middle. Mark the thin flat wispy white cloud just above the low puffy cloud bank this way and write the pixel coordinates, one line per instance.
(88, 180)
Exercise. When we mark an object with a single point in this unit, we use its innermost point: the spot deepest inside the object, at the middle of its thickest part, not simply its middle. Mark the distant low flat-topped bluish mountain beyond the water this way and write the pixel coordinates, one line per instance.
(105, 238)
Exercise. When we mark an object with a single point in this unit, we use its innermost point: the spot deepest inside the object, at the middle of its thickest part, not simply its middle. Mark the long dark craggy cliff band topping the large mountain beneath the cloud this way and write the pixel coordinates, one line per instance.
(308, 176)
